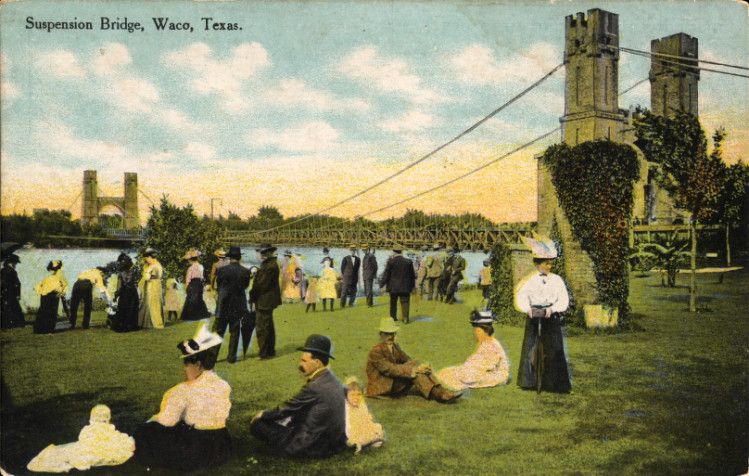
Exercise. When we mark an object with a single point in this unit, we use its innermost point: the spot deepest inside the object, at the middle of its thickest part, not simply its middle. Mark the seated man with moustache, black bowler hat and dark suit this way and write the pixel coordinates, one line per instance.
(312, 423)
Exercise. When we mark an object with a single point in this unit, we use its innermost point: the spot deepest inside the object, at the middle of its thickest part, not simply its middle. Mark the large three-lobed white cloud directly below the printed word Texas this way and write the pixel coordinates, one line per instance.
(224, 77)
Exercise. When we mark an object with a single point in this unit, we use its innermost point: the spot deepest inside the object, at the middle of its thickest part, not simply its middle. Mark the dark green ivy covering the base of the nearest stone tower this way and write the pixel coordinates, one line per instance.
(594, 182)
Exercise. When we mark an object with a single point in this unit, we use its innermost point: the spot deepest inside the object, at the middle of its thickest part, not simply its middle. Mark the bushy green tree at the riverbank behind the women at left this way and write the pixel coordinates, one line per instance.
(173, 231)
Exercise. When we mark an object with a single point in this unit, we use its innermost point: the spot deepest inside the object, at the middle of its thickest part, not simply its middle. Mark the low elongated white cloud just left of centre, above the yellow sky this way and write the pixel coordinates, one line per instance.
(311, 137)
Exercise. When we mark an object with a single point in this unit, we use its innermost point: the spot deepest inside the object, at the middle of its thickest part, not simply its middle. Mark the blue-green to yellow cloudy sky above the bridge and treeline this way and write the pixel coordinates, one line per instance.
(303, 104)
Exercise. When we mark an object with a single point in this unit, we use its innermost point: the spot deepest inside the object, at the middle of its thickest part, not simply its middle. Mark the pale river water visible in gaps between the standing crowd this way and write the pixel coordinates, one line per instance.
(32, 268)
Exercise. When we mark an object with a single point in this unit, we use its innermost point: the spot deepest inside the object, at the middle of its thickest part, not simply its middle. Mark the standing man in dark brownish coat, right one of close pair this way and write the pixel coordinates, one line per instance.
(266, 296)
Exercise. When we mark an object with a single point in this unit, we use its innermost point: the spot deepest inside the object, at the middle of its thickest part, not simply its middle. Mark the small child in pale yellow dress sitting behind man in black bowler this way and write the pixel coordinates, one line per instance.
(361, 429)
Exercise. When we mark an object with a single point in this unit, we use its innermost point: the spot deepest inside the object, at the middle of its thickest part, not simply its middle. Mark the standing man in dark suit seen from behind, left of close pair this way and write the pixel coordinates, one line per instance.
(232, 281)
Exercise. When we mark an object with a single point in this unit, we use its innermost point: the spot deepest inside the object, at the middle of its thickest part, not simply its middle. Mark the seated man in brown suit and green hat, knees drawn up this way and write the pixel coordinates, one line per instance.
(391, 372)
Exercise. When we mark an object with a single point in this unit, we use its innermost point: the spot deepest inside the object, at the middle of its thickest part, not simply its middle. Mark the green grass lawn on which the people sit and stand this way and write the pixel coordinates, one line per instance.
(670, 398)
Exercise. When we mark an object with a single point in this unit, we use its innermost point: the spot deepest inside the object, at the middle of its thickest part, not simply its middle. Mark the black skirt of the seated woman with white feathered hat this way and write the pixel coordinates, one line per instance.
(182, 446)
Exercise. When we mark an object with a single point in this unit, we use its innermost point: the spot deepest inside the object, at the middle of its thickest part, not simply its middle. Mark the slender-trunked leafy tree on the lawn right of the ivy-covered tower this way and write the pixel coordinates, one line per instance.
(691, 176)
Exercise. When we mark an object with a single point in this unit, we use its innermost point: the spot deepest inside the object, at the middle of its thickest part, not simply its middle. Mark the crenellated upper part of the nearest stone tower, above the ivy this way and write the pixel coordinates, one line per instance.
(591, 104)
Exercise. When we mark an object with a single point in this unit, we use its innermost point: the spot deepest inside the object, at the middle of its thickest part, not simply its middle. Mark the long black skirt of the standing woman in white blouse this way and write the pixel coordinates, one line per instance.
(556, 375)
